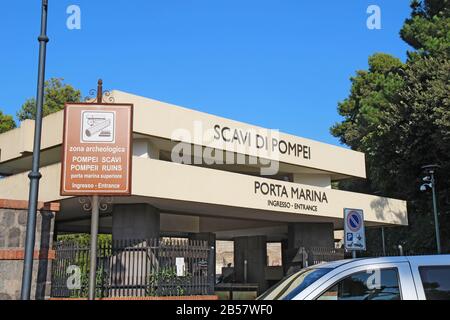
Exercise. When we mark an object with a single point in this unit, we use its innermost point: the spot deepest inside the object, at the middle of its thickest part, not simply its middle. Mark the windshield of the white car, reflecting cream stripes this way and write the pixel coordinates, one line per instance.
(292, 285)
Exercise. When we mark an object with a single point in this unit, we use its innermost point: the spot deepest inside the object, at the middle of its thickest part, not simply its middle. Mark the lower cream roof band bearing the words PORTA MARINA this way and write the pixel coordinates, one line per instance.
(184, 189)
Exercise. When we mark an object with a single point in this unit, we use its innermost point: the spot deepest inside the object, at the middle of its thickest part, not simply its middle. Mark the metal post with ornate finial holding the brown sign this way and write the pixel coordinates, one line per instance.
(94, 223)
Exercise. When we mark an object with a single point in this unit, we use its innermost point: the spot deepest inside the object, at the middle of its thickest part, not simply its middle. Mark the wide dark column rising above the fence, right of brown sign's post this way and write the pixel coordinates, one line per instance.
(135, 221)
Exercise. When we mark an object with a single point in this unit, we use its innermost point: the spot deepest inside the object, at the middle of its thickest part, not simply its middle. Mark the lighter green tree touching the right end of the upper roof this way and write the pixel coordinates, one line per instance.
(365, 111)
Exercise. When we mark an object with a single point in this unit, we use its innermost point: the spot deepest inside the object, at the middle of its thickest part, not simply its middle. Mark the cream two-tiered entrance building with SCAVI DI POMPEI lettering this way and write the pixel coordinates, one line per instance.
(203, 177)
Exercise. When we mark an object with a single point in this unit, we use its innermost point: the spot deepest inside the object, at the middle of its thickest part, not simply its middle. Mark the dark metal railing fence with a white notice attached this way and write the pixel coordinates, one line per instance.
(134, 268)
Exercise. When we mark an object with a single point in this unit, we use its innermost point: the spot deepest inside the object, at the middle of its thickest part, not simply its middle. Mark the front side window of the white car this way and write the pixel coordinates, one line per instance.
(378, 284)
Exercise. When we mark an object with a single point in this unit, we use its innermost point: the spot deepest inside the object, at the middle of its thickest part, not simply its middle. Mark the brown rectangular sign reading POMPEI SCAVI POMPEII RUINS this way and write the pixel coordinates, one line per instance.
(97, 149)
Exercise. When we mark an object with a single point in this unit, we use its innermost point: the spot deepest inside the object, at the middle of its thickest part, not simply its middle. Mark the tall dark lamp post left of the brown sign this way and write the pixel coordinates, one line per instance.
(35, 175)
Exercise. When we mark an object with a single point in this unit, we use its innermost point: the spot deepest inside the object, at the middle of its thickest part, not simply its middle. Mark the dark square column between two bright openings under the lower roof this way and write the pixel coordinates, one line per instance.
(254, 251)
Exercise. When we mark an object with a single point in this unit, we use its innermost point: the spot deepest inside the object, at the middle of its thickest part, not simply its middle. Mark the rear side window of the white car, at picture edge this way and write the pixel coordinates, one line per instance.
(436, 282)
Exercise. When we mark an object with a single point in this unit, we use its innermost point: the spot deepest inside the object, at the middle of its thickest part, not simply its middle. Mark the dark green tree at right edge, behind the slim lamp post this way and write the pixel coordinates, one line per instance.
(420, 131)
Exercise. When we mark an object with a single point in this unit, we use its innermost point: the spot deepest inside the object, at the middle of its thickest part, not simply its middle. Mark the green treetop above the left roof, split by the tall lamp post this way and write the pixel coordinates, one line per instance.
(56, 93)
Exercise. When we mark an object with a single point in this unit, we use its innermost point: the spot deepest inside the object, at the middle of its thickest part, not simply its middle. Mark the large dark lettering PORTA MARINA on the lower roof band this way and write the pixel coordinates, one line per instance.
(297, 193)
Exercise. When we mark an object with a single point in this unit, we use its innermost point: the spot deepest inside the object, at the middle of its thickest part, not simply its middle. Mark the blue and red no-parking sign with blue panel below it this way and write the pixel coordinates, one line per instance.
(355, 235)
